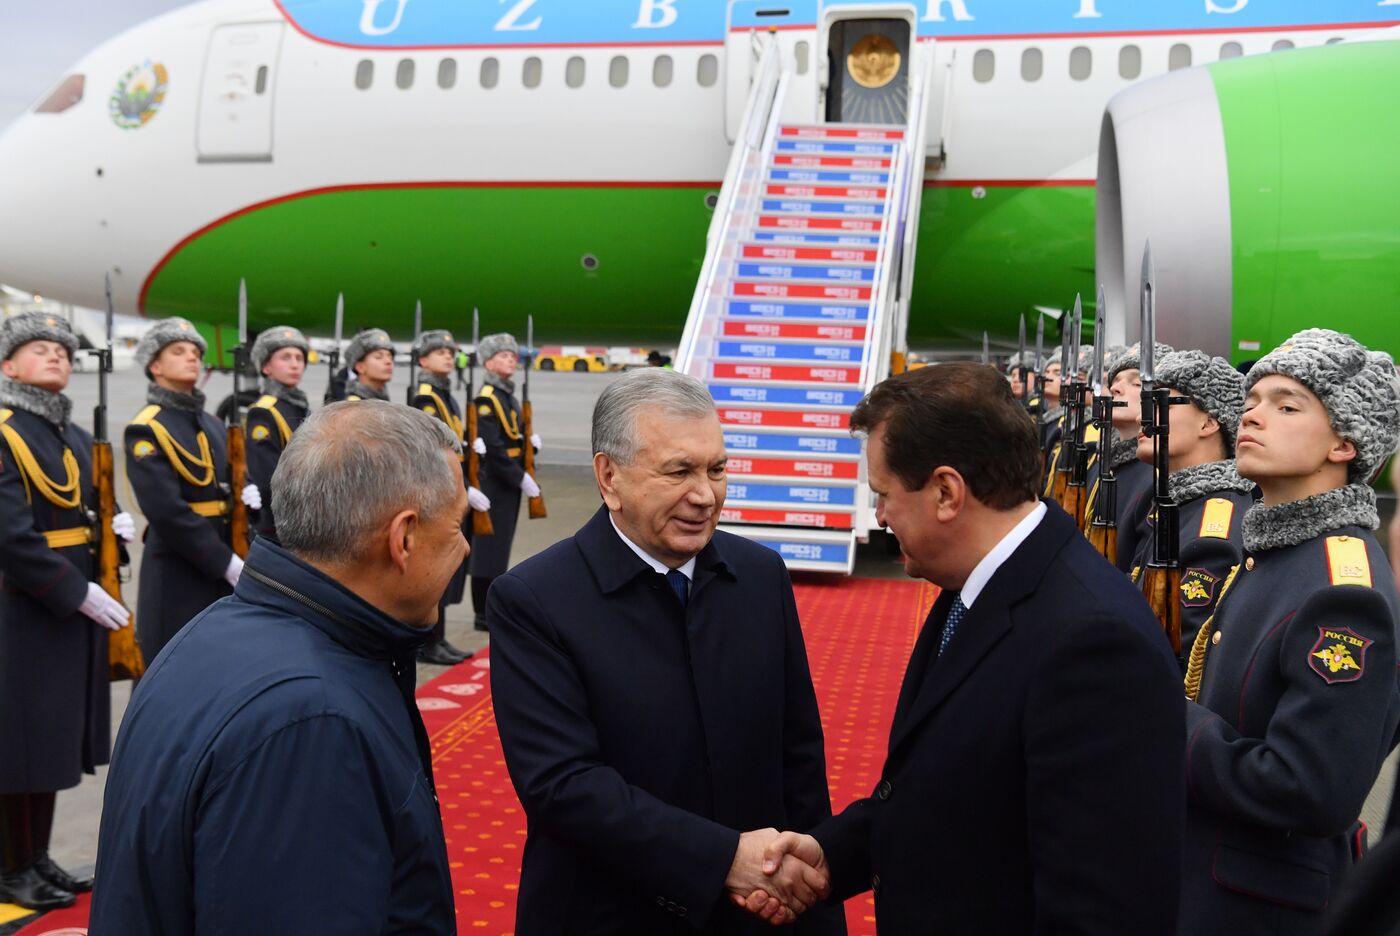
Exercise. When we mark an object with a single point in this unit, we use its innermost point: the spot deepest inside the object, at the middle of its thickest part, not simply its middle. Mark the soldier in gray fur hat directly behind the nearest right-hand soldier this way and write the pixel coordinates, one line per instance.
(1209, 493)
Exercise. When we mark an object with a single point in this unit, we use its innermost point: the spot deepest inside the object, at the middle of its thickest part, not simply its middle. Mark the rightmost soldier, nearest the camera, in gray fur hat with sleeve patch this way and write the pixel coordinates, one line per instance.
(1293, 682)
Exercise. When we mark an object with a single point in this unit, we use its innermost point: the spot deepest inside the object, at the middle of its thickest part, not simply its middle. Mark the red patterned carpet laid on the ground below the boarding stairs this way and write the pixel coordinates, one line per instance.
(859, 639)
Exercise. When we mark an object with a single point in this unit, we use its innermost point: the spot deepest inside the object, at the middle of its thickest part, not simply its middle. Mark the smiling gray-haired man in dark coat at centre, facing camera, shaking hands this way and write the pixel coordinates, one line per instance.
(653, 693)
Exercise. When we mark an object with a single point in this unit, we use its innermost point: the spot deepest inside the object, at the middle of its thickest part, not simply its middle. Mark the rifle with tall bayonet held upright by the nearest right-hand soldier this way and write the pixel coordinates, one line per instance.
(1161, 581)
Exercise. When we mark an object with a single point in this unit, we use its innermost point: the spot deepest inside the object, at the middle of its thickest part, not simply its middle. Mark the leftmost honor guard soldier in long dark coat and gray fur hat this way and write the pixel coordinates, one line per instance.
(55, 697)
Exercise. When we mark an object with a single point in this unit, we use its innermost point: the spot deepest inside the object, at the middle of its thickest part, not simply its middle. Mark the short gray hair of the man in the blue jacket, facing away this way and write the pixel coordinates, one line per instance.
(352, 467)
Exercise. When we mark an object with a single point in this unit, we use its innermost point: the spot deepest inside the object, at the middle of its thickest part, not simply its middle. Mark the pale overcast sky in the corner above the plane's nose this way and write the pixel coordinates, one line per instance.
(43, 38)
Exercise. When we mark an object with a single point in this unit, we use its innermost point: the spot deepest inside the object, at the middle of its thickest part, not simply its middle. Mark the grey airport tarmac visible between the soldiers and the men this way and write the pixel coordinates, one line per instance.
(563, 405)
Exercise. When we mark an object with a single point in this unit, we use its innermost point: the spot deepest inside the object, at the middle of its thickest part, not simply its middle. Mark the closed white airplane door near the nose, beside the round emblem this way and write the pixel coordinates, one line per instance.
(236, 106)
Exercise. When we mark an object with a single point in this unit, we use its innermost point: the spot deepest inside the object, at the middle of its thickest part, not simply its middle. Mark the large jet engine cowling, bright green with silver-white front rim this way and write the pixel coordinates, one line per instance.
(1270, 191)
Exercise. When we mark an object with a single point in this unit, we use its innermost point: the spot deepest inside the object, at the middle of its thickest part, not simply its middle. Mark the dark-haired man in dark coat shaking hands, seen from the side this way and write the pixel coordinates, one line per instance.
(1034, 779)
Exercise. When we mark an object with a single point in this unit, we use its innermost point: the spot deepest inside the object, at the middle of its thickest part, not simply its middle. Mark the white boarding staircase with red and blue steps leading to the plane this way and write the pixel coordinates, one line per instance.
(800, 311)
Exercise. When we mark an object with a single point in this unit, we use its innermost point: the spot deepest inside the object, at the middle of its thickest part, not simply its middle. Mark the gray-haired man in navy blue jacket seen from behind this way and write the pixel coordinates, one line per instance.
(272, 774)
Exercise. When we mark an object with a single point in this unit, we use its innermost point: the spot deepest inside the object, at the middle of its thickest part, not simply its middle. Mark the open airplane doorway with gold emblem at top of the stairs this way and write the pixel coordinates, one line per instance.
(869, 68)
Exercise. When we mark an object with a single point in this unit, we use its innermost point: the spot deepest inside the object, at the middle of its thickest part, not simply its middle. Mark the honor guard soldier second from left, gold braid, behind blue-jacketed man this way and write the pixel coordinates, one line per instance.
(177, 464)
